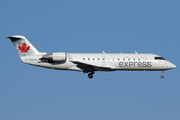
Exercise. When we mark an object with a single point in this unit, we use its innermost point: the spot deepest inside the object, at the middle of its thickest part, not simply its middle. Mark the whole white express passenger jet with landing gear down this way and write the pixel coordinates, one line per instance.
(89, 62)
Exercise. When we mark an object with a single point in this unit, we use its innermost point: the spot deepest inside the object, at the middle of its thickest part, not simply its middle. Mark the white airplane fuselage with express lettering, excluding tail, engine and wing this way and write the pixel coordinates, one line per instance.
(102, 61)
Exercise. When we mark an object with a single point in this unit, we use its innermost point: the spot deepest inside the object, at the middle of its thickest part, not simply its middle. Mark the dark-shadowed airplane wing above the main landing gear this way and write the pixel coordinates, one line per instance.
(89, 67)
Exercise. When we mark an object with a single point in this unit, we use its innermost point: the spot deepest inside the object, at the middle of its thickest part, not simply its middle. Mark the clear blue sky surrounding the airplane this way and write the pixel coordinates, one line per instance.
(33, 93)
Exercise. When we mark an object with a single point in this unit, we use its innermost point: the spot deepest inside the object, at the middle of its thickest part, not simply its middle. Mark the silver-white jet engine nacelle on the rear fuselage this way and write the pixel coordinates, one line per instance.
(59, 56)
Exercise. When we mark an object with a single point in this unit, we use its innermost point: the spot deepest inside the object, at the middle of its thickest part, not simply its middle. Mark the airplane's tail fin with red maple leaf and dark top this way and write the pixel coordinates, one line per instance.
(23, 46)
